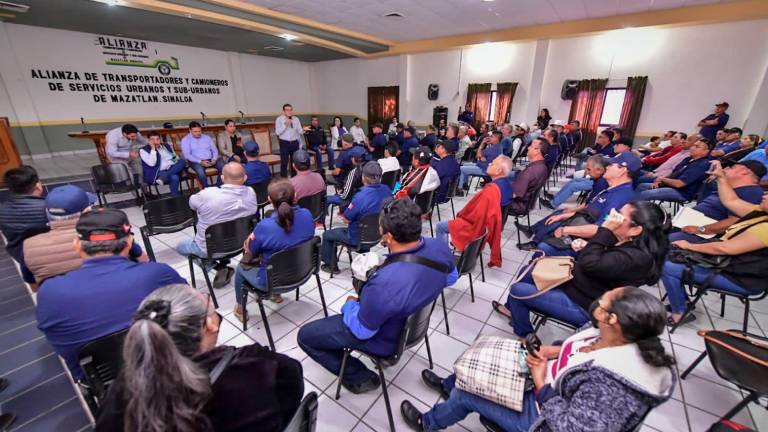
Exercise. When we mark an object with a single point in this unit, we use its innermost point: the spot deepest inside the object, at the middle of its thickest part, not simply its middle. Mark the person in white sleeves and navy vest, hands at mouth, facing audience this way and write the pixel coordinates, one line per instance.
(160, 164)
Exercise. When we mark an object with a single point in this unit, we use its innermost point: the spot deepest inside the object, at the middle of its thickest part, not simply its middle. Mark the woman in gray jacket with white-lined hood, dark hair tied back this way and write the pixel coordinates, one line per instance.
(605, 378)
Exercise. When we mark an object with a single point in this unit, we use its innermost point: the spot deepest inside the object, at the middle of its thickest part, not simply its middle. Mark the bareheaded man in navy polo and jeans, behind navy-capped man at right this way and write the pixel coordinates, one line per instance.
(684, 181)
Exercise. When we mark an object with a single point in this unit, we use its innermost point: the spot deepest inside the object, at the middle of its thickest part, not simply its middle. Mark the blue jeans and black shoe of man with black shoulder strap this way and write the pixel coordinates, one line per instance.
(324, 341)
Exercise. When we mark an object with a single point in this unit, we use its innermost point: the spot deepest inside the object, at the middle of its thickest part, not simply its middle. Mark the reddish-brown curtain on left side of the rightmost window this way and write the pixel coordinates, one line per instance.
(587, 107)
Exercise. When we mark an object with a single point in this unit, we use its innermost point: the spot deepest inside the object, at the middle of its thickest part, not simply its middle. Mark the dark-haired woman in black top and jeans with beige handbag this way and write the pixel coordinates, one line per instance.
(626, 250)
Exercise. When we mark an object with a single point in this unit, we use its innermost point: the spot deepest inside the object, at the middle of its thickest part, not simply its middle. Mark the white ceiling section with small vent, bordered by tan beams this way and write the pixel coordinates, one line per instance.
(426, 19)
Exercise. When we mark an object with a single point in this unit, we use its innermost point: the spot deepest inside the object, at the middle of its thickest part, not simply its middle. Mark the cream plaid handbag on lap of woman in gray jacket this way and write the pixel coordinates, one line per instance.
(494, 368)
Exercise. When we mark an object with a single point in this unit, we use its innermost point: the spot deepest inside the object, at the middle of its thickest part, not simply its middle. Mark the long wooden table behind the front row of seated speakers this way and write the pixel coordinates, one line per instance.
(259, 132)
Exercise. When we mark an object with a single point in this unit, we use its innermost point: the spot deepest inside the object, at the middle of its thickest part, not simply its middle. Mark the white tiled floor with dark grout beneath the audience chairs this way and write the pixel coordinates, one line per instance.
(696, 404)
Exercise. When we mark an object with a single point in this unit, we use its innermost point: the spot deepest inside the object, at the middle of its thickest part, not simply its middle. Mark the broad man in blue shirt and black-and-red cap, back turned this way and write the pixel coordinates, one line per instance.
(101, 296)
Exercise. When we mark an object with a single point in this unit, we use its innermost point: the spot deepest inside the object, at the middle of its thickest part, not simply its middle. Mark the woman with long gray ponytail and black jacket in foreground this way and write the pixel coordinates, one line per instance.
(175, 378)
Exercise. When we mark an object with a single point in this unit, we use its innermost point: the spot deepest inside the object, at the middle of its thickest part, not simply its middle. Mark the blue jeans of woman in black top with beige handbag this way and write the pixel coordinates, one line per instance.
(555, 303)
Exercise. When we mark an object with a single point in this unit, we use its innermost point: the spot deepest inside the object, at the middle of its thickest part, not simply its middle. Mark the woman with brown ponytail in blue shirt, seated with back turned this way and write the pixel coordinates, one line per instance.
(287, 226)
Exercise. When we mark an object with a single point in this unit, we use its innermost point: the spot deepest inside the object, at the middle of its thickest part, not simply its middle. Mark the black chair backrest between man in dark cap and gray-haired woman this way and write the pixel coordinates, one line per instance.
(100, 361)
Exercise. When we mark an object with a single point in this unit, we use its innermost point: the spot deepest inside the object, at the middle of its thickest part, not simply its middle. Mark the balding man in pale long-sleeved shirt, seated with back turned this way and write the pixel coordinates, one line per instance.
(233, 200)
